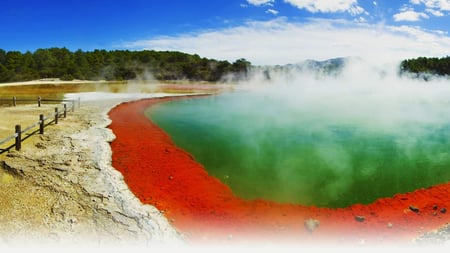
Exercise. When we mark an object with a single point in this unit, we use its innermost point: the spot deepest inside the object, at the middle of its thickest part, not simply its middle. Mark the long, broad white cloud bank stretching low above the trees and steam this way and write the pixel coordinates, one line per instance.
(281, 42)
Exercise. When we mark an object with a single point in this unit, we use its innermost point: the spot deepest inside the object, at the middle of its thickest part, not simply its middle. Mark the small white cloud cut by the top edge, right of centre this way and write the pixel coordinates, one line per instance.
(350, 6)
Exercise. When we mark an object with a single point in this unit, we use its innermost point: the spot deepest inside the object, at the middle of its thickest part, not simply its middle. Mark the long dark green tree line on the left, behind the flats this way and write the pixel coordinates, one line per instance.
(115, 65)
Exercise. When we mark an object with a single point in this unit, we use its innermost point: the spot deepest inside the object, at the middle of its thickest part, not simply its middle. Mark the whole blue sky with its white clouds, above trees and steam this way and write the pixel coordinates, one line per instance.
(262, 31)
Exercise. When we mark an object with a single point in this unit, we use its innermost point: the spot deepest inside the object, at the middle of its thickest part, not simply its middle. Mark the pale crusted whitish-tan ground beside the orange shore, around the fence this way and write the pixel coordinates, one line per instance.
(61, 189)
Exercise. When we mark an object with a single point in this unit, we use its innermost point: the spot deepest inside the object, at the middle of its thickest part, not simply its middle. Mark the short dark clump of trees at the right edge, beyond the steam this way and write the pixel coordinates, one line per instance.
(424, 65)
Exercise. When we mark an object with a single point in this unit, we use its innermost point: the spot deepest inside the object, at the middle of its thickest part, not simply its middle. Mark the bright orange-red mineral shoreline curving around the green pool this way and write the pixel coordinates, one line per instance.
(206, 211)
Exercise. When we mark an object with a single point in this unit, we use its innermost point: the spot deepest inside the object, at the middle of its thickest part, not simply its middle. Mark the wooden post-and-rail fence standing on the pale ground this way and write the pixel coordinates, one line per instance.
(21, 135)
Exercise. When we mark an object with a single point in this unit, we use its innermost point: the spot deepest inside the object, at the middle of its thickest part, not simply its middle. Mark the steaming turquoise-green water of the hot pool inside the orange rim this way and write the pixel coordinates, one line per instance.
(323, 153)
